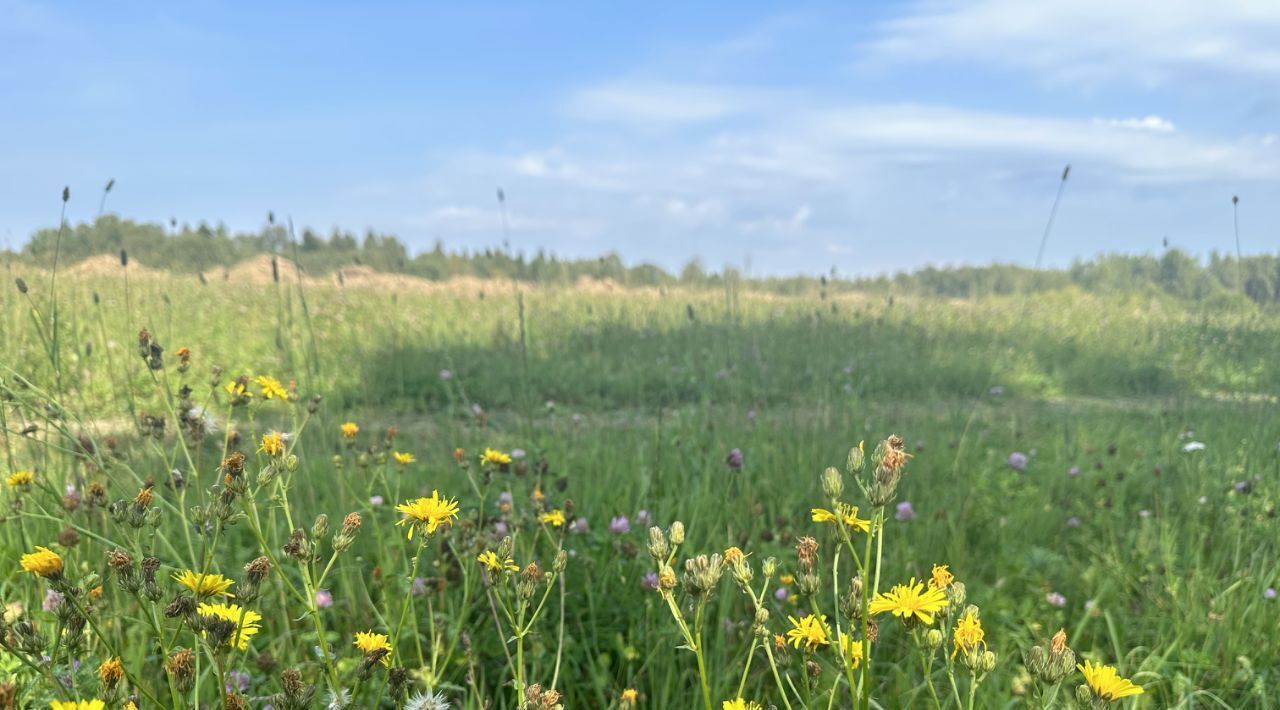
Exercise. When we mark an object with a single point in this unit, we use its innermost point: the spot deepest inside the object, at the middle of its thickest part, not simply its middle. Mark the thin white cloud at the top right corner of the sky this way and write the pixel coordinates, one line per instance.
(1151, 43)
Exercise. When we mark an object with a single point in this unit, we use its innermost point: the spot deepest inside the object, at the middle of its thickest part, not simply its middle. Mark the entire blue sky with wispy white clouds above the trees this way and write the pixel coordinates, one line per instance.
(781, 138)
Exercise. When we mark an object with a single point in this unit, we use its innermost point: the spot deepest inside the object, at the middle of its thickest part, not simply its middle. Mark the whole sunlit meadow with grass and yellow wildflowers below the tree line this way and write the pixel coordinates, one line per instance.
(1105, 466)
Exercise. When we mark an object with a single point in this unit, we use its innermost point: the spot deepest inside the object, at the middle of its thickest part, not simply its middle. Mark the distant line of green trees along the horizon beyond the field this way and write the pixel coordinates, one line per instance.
(203, 248)
